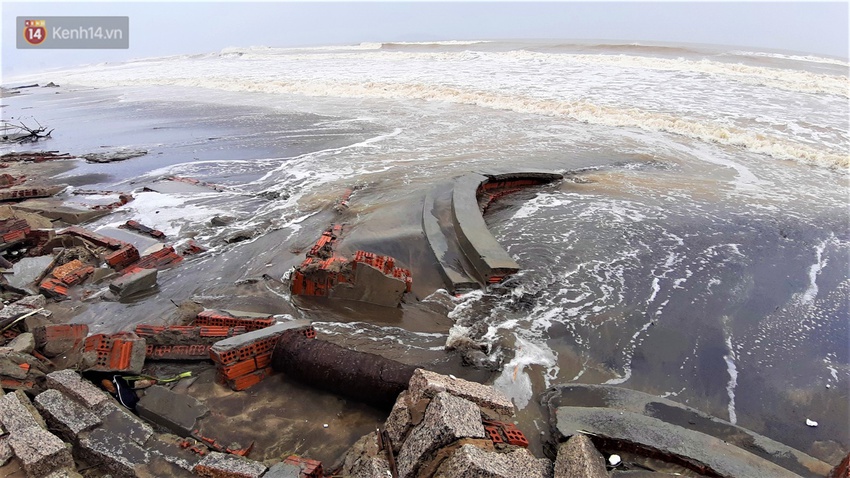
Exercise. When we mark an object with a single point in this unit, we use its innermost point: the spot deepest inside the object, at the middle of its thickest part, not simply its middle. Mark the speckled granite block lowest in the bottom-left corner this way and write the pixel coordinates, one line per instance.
(40, 451)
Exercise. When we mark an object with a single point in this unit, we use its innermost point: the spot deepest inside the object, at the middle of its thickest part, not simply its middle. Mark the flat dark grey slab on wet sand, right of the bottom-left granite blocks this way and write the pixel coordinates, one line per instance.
(178, 413)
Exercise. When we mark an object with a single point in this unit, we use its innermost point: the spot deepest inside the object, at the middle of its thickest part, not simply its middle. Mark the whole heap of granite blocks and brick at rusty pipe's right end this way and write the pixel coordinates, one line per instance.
(439, 427)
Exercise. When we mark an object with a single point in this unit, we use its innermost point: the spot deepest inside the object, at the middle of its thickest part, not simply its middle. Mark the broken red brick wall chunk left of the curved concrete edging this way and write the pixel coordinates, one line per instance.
(366, 277)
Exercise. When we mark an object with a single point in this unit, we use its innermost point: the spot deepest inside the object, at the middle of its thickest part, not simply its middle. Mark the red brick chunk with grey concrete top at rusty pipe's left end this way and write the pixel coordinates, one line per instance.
(245, 360)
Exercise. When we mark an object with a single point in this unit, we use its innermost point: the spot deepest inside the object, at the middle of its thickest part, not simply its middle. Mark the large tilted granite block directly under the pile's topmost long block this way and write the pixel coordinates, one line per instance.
(447, 419)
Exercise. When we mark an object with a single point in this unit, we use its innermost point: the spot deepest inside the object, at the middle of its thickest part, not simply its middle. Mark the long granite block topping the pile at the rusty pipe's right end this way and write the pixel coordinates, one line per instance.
(426, 384)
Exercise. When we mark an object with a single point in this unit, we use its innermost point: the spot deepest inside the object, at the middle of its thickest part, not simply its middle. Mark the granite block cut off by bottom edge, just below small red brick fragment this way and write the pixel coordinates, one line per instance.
(470, 460)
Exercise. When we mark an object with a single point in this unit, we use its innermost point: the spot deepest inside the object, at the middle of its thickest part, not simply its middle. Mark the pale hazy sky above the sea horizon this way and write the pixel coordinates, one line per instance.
(168, 28)
